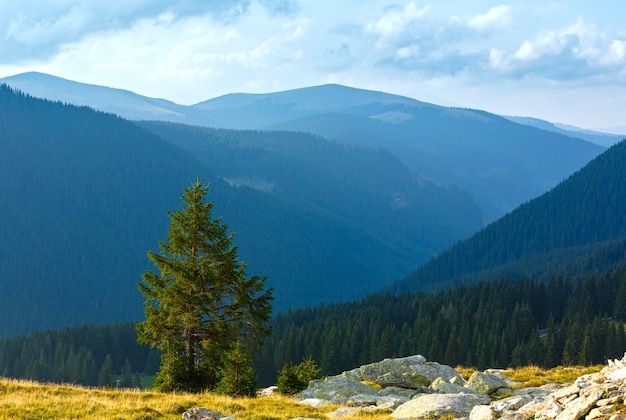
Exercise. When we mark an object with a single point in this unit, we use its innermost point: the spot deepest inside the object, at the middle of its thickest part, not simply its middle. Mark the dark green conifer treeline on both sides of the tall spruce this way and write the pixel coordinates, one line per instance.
(565, 321)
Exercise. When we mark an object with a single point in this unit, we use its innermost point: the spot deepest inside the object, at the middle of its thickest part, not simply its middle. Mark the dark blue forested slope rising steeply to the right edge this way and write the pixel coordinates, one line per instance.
(584, 216)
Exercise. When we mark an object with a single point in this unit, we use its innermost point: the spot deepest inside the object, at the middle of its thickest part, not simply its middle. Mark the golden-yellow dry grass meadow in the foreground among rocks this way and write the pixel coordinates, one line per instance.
(33, 400)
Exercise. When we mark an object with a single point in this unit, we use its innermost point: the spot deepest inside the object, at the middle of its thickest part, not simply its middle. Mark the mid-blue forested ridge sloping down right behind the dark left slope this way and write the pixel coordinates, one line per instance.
(369, 189)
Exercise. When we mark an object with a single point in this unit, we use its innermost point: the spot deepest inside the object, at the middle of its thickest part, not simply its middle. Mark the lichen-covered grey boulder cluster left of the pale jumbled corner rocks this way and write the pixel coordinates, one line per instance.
(404, 386)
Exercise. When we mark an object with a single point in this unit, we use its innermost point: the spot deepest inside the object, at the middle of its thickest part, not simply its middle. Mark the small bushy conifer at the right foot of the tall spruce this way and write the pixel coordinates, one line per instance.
(237, 374)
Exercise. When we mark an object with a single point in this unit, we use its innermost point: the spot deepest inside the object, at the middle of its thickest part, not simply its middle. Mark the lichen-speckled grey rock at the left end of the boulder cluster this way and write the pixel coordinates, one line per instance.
(335, 389)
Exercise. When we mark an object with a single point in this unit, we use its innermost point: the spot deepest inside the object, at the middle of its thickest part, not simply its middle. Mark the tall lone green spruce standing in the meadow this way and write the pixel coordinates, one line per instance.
(202, 302)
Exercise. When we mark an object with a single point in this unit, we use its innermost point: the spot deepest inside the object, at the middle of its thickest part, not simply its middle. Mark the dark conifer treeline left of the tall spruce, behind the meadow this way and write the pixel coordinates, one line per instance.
(87, 355)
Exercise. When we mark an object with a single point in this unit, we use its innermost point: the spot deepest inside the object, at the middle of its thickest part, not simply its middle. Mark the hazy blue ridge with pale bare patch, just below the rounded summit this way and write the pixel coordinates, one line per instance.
(501, 163)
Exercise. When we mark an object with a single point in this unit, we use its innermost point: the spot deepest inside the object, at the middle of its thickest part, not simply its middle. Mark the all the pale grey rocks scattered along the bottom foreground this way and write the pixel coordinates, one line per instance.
(412, 388)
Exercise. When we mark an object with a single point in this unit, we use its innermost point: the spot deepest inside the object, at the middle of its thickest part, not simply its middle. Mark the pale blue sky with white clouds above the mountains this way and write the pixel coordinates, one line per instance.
(563, 61)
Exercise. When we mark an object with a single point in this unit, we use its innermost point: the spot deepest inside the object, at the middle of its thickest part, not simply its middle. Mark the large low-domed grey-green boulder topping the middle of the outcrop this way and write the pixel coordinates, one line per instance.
(407, 372)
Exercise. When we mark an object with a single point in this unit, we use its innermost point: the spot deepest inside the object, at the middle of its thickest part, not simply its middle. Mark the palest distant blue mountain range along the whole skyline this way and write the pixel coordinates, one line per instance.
(499, 162)
